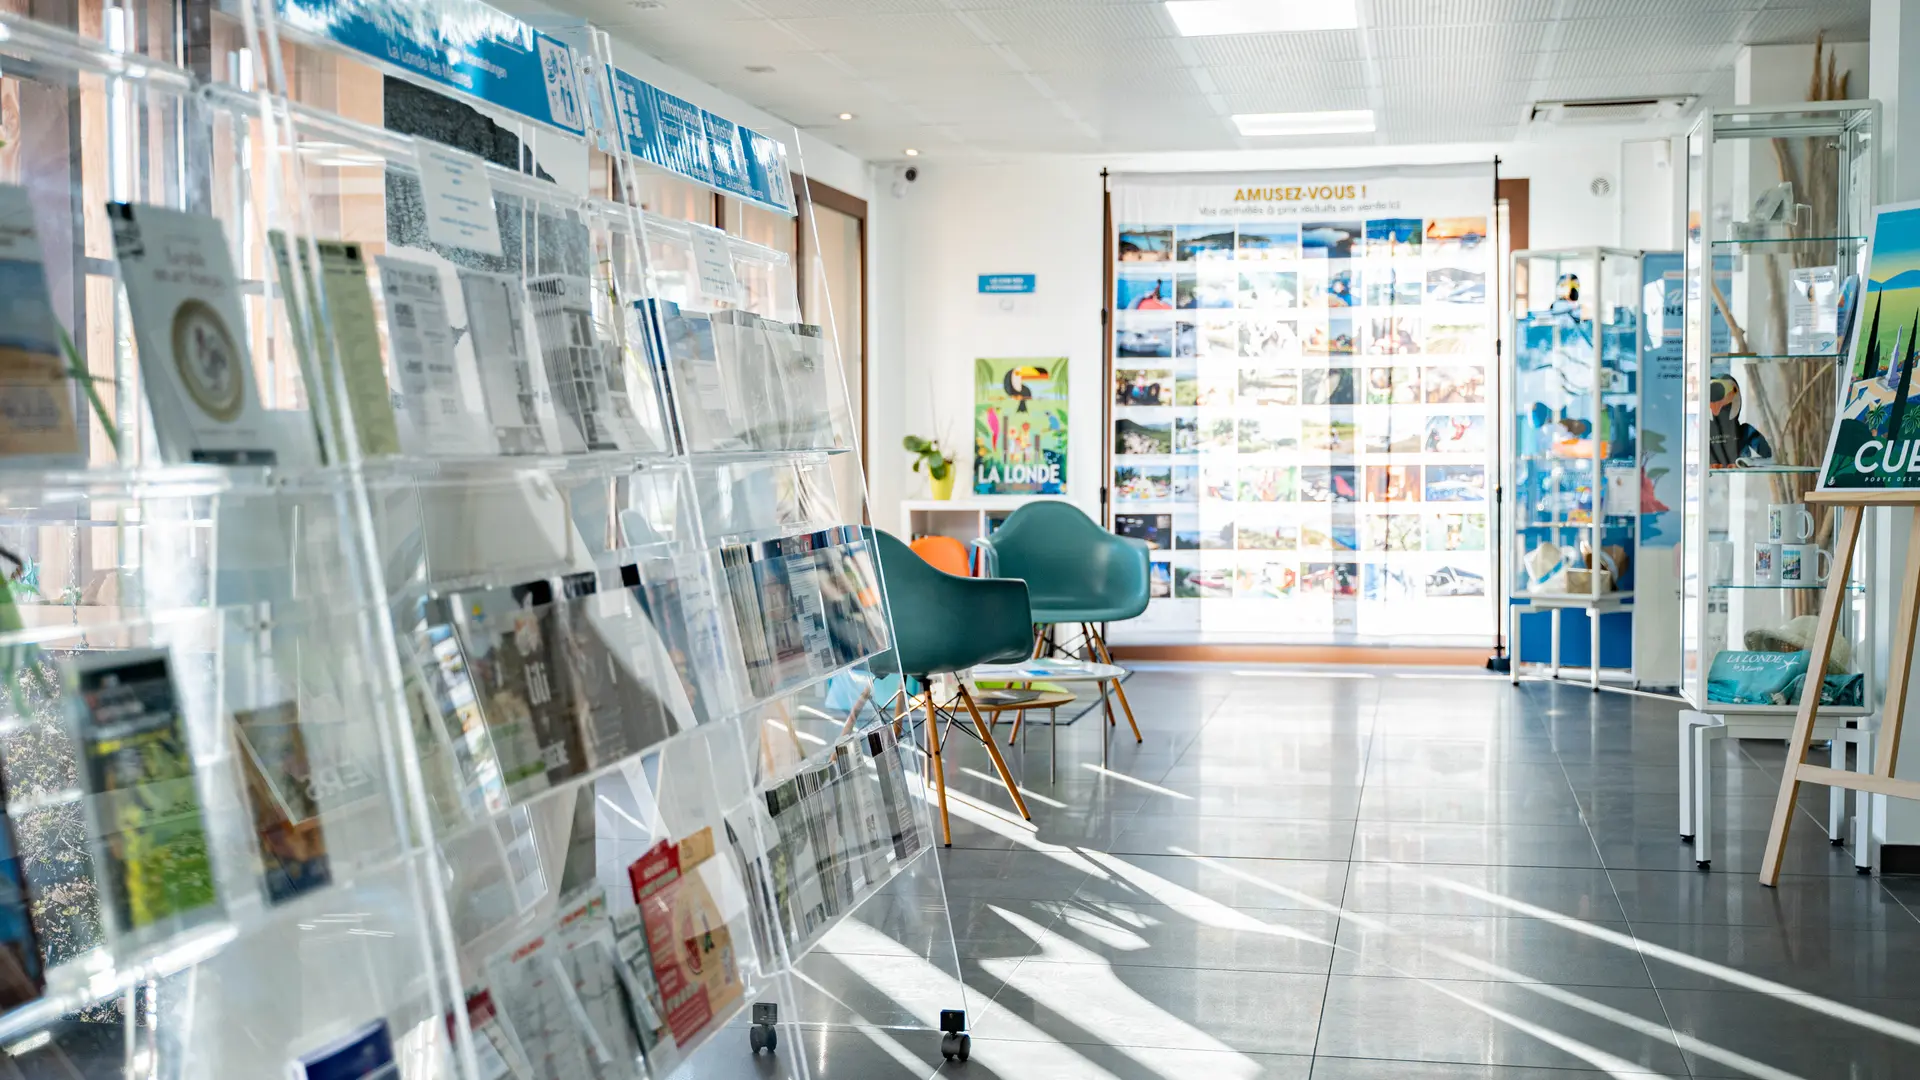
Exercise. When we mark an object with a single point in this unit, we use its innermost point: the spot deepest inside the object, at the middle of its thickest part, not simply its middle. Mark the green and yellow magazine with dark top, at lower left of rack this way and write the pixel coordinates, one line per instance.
(137, 766)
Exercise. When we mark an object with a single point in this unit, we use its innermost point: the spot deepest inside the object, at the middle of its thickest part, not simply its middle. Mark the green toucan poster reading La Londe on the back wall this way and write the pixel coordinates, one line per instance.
(1020, 428)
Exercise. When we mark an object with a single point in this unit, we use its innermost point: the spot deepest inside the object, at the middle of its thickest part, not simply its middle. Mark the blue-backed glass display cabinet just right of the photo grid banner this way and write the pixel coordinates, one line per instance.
(1573, 495)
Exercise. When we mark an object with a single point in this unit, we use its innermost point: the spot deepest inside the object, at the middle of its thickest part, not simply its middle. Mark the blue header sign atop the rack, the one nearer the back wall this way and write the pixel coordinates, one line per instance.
(698, 145)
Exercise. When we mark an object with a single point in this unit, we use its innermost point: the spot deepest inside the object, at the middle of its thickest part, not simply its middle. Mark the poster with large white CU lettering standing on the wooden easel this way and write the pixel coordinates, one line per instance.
(1877, 443)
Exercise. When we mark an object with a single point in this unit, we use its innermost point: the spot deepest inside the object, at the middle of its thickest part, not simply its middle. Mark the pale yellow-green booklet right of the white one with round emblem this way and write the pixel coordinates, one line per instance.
(347, 331)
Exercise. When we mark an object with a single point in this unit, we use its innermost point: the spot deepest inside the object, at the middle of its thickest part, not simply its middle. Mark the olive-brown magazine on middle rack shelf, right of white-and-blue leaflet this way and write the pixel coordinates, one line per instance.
(512, 641)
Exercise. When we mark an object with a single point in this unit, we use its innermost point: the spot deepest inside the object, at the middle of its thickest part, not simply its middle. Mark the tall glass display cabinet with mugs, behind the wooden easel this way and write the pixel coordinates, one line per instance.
(1779, 209)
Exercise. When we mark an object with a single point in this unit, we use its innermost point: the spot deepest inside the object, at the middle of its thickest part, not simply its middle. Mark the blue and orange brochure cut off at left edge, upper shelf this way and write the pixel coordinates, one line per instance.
(37, 426)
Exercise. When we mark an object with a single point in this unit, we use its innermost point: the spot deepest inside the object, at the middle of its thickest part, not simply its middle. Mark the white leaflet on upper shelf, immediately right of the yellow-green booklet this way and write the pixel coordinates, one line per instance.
(431, 405)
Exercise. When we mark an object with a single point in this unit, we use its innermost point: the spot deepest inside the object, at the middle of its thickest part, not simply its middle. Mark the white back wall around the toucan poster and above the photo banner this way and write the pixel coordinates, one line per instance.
(1042, 216)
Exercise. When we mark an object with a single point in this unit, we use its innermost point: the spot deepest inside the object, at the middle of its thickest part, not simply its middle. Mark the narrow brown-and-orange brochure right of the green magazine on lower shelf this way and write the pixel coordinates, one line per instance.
(279, 785)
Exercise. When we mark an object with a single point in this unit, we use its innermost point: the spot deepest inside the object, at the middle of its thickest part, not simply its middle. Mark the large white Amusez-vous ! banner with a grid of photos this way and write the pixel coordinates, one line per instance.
(1303, 422)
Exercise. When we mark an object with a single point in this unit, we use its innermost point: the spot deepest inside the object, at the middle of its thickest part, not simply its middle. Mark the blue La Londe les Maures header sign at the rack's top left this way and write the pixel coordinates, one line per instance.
(458, 43)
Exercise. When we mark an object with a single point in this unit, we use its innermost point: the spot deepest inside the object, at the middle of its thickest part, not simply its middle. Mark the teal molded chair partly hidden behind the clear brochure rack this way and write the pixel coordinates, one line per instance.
(946, 624)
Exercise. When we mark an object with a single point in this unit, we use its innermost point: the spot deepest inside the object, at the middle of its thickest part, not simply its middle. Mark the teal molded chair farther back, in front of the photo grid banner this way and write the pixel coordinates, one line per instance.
(1076, 574)
